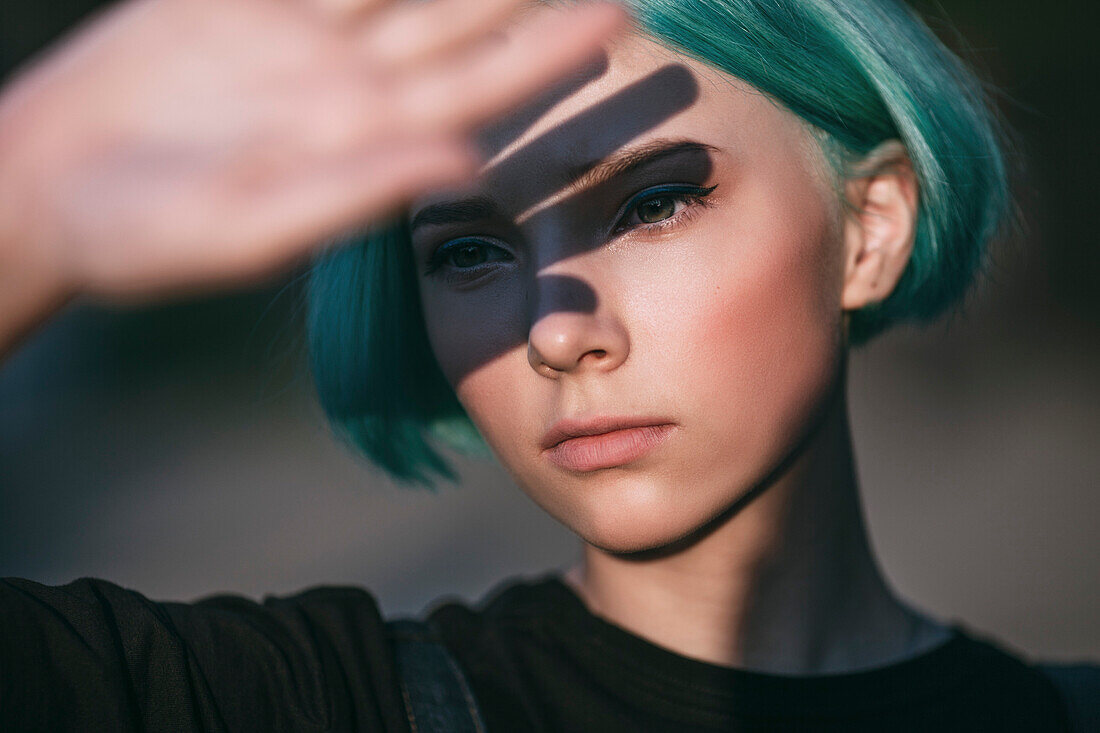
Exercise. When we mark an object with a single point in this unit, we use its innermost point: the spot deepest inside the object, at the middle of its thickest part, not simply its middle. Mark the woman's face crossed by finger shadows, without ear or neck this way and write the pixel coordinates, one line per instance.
(681, 300)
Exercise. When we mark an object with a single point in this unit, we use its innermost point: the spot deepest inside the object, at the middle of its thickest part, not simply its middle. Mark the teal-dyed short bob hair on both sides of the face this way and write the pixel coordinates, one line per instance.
(859, 72)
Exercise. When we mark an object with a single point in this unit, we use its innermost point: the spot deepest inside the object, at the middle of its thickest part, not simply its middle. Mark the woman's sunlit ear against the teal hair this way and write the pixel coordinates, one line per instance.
(881, 227)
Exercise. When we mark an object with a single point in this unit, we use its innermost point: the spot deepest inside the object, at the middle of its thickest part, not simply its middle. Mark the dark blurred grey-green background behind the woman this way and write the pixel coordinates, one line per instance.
(178, 450)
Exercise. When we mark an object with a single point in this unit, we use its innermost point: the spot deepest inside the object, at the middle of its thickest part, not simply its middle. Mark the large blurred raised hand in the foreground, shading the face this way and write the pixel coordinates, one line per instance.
(174, 145)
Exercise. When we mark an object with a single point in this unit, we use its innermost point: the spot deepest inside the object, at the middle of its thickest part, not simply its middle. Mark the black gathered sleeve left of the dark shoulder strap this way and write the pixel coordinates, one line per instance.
(94, 657)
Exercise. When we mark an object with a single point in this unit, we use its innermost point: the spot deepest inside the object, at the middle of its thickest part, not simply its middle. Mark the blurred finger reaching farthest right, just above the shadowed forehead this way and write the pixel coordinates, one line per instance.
(502, 75)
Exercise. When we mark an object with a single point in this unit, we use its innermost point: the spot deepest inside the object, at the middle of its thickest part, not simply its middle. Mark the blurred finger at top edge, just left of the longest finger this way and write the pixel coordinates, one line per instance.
(416, 34)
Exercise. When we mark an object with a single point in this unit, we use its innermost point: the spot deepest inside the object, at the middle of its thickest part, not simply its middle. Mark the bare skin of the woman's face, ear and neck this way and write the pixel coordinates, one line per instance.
(740, 539)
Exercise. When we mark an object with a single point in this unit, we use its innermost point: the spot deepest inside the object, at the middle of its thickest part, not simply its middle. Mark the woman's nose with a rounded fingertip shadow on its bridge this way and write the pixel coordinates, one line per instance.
(573, 332)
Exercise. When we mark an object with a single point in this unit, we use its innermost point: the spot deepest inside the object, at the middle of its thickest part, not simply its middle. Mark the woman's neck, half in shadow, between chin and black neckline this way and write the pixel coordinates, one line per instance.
(786, 584)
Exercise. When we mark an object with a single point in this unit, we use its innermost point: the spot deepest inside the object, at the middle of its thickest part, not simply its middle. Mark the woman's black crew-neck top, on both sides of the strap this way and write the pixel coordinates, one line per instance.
(93, 657)
